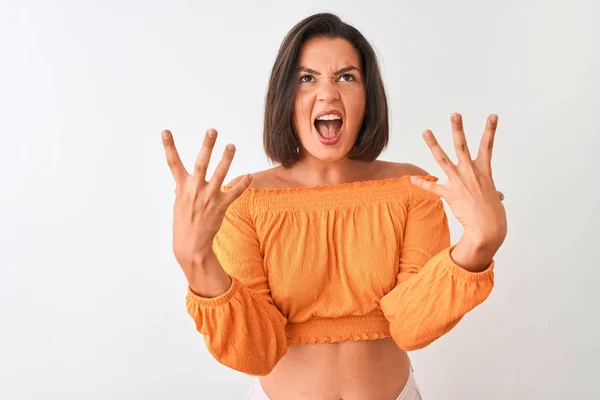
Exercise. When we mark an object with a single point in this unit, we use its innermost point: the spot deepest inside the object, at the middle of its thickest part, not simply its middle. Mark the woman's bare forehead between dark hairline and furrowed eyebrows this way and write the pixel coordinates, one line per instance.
(325, 53)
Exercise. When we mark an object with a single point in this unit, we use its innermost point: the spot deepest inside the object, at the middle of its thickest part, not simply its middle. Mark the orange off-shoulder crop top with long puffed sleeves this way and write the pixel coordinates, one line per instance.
(352, 261)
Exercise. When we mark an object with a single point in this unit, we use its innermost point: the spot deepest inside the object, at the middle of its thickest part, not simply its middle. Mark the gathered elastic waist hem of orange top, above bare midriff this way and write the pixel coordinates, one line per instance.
(334, 330)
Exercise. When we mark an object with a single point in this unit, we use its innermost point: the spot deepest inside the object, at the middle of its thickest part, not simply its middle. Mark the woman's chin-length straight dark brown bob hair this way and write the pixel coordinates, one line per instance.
(280, 140)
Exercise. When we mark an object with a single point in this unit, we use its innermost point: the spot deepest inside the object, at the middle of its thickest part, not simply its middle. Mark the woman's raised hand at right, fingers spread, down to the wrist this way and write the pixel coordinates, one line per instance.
(470, 191)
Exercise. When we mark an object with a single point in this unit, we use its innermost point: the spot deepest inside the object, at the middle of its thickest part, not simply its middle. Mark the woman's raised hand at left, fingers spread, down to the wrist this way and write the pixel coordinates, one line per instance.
(199, 205)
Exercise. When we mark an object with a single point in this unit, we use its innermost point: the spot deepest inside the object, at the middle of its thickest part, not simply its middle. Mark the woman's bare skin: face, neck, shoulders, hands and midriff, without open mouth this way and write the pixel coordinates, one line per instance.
(350, 370)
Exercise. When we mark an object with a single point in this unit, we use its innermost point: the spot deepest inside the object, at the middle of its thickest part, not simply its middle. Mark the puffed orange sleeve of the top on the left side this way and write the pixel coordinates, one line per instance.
(242, 327)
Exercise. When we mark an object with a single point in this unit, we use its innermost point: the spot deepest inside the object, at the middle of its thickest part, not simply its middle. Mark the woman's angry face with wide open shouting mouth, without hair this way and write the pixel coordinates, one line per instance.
(330, 98)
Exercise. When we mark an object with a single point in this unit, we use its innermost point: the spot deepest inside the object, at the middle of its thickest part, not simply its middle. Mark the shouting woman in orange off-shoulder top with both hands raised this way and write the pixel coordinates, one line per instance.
(318, 275)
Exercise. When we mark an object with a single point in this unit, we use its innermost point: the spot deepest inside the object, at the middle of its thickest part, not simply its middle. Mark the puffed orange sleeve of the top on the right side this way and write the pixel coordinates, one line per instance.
(432, 293)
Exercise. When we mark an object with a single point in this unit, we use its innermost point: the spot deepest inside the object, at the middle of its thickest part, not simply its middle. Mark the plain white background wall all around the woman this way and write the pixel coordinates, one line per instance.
(92, 299)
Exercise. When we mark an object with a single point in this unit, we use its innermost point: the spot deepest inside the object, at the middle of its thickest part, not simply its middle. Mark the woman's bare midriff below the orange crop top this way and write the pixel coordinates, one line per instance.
(349, 370)
